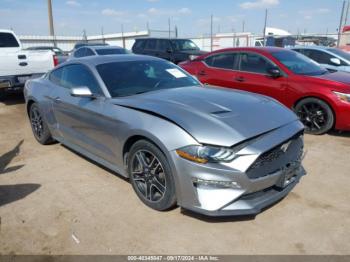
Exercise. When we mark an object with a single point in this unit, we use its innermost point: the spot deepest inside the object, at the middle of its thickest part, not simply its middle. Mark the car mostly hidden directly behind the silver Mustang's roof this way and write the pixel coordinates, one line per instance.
(98, 50)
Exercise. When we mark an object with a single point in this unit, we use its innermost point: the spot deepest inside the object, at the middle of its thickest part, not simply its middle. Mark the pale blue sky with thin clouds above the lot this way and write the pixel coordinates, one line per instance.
(192, 17)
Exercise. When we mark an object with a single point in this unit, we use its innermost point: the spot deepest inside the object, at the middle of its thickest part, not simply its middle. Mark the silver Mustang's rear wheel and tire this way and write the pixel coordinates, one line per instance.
(39, 127)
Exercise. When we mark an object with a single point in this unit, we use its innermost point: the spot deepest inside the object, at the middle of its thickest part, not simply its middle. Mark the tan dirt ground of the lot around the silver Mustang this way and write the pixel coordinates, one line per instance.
(53, 201)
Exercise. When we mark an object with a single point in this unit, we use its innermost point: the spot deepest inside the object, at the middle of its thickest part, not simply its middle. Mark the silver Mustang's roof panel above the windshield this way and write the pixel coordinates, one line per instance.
(97, 60)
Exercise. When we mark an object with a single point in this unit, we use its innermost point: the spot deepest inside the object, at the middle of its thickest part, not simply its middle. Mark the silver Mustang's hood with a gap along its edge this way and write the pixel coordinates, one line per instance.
(213, 115)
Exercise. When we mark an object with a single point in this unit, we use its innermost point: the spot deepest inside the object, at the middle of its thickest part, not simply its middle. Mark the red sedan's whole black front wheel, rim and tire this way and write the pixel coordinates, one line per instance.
(316, 115)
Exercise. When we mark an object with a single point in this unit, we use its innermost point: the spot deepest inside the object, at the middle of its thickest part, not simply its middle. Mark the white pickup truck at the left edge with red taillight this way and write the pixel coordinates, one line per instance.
(17, 65)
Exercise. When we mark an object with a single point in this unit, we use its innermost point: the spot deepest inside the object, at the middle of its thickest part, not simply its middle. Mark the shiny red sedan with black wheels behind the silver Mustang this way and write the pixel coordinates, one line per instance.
(320, 98)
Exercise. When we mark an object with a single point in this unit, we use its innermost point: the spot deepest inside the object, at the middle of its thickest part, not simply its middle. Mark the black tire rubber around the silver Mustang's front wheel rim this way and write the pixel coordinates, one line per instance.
(169, 199)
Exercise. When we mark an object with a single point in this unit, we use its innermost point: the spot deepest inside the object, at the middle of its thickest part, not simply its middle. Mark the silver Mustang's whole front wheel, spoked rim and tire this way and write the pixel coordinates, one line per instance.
(151, 177)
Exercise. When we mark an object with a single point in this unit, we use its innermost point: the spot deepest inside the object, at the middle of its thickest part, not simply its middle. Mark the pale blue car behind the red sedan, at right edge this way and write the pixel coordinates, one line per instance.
(333, 59)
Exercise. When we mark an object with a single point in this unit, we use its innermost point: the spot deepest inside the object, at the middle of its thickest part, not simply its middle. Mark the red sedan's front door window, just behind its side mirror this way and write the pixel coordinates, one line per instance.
(254, 63)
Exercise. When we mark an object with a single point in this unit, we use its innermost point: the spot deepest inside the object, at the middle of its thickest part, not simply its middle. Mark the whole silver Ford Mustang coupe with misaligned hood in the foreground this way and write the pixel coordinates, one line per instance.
(213, 151)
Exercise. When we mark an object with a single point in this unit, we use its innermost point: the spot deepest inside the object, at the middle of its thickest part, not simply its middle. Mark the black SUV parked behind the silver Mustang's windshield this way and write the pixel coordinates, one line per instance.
(174, 50)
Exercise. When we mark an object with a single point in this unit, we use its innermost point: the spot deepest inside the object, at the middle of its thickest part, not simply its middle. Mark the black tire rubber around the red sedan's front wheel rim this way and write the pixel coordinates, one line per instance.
(326, 107)
